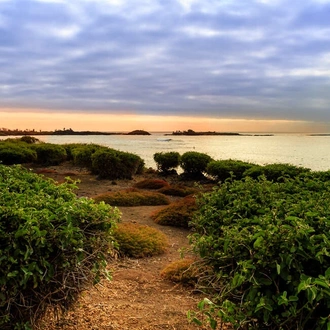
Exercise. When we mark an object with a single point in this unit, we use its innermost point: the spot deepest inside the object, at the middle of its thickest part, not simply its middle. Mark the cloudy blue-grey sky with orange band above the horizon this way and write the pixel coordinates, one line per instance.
(112, 65)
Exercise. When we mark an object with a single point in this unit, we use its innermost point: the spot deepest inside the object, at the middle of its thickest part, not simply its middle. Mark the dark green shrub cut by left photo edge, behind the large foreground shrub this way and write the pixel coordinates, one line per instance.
(16, 153)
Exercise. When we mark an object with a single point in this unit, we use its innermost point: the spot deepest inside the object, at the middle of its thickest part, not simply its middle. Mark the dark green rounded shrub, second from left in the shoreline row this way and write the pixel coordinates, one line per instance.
(49, 154)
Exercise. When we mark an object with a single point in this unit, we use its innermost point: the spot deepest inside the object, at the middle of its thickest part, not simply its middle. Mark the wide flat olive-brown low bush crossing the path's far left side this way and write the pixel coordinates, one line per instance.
(132, 197)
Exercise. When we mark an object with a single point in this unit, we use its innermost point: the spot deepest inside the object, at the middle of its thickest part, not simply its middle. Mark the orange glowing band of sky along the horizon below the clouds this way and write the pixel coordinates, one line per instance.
(153, 123)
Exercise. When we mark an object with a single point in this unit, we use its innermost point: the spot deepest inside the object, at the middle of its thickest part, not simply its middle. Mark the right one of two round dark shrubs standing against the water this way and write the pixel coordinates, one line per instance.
(194, 163)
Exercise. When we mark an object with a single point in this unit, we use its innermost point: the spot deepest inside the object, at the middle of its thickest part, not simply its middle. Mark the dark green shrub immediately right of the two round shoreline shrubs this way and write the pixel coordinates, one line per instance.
(224, 169)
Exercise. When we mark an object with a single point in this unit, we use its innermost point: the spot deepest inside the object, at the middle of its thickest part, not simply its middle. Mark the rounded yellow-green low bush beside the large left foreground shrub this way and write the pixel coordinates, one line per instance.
(138, 241)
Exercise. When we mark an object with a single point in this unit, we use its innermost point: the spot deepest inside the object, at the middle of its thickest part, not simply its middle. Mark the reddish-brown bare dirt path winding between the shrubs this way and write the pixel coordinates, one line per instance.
(137, 297)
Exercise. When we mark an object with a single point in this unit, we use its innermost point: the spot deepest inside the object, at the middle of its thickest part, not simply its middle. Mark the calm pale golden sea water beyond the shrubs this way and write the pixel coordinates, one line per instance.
(303, 150)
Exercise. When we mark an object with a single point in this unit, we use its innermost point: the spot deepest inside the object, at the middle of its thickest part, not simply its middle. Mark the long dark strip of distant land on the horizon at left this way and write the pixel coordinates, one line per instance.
(64, 131)
